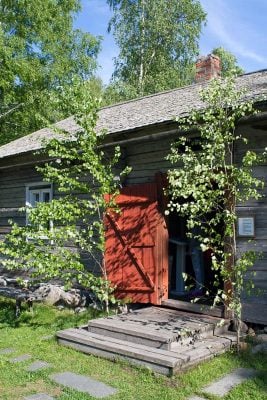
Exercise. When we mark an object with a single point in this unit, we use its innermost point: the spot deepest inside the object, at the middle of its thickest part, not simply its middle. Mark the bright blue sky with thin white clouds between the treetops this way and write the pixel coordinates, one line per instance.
(240, 26)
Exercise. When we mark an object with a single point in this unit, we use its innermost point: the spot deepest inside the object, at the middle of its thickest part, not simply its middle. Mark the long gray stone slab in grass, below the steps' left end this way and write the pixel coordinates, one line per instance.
(83, 384)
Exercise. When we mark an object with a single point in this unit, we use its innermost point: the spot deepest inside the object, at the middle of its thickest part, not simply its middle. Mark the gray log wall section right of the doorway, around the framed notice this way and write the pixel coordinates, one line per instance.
(255, 304)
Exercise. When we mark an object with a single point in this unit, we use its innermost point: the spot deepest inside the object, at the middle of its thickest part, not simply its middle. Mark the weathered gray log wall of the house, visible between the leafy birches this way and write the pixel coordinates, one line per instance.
(147, 158)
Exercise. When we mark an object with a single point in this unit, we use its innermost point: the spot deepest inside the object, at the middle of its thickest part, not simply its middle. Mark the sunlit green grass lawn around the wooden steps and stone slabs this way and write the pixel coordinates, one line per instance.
(26, 335)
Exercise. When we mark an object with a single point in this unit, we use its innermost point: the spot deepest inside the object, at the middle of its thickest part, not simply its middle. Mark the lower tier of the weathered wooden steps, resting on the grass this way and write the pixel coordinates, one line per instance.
(162, 361)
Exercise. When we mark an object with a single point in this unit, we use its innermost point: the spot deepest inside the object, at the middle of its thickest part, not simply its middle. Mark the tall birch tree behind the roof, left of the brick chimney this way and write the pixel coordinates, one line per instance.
(157, 42)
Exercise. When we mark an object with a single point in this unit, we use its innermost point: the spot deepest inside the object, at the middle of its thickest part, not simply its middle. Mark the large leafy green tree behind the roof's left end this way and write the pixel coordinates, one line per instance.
(40, 53)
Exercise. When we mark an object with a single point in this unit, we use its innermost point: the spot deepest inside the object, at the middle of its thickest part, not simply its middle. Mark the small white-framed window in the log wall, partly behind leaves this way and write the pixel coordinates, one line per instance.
(37, 193)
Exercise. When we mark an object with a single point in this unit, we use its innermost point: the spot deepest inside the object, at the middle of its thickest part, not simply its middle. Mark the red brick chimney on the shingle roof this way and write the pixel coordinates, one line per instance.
(207, 68)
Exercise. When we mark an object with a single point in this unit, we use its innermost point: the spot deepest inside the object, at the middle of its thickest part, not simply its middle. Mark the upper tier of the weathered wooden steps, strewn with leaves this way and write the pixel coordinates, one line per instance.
(166, 331)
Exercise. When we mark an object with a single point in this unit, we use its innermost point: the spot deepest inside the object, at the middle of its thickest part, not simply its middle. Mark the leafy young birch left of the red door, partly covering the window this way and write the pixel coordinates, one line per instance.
(83, 174)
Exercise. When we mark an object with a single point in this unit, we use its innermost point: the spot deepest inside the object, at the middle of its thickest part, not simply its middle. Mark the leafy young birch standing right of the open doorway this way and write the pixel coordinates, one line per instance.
(208, 183)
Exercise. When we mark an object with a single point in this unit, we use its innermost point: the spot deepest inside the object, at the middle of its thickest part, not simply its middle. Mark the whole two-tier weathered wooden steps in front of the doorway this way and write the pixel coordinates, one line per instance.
(164, 340)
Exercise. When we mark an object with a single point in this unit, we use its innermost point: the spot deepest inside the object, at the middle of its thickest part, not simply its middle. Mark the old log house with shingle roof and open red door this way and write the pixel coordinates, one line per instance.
(146, 254)
